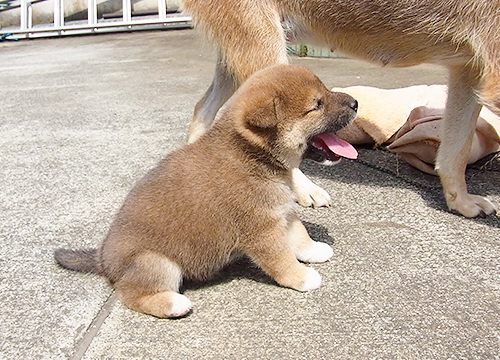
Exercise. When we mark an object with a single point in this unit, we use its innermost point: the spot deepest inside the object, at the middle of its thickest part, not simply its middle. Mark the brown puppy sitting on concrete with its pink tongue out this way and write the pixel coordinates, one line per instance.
(225, 195)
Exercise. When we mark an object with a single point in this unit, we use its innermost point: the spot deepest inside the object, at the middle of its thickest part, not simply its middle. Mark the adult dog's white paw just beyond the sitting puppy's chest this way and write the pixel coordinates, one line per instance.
(308, 193)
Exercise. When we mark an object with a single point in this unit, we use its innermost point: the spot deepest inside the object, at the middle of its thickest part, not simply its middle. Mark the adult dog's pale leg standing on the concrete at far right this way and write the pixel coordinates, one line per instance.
(462, 110)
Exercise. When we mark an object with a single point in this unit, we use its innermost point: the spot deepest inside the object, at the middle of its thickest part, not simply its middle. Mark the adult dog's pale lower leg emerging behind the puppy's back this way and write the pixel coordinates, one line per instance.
(222, 87)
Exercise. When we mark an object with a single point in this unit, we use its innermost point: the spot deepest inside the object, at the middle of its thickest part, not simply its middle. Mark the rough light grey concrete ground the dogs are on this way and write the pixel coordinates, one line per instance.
(82, 118)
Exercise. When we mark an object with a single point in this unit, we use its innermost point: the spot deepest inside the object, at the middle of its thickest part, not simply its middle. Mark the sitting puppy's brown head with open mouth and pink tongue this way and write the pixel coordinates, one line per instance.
(289, 113)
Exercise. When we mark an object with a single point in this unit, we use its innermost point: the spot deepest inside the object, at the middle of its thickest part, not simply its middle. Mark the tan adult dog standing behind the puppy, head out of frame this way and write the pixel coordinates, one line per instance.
(462, 35)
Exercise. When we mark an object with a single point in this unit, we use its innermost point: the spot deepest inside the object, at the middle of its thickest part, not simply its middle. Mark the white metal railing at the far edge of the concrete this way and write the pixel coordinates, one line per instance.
(93, 24)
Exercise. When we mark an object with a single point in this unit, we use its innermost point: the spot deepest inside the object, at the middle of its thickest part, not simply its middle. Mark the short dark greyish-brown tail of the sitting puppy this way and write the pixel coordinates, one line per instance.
(85, 261)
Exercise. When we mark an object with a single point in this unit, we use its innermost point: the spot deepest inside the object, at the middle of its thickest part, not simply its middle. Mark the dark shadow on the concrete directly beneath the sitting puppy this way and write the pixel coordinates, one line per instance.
(244, 268)
